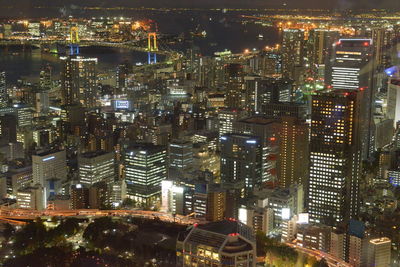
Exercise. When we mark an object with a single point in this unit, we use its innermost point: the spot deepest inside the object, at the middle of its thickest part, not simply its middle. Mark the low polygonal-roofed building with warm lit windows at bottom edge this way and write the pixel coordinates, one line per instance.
(223, 243)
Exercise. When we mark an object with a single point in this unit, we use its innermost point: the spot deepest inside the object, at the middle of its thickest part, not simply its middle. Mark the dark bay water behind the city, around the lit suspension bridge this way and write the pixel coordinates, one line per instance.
(224, 31)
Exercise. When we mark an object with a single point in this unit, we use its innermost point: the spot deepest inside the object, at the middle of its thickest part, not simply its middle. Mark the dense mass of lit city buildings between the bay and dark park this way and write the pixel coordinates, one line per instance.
(299, 141)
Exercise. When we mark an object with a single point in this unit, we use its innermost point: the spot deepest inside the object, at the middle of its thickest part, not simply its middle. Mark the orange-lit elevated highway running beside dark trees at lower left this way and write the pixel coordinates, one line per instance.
(17, 216)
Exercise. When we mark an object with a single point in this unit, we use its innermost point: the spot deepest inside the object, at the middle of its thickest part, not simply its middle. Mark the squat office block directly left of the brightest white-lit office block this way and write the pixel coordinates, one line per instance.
(96, 167)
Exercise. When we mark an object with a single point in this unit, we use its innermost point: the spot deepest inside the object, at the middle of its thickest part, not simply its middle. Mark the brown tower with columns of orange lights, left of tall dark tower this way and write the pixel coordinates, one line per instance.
(292, 167)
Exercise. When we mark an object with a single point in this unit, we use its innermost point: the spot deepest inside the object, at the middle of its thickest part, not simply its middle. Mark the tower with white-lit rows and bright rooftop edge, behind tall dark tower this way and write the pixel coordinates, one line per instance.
(351, 68)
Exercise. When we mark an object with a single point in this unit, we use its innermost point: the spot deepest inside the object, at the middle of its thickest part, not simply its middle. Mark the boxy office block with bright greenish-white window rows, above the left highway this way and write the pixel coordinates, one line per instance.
(145, 168)
